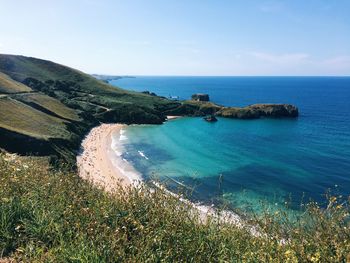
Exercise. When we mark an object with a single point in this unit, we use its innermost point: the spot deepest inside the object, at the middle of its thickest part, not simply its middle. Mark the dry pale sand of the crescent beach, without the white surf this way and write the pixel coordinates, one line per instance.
(98, 162)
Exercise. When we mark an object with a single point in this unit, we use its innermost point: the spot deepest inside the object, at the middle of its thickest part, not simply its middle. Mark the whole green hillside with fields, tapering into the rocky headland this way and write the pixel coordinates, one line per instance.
(47, 108)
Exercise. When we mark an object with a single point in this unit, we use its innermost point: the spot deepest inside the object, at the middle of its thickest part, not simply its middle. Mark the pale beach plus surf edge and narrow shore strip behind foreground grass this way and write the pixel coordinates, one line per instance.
(102, 164)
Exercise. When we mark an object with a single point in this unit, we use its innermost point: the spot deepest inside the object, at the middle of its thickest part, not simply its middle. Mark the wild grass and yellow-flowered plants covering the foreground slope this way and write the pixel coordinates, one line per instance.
(54, 216)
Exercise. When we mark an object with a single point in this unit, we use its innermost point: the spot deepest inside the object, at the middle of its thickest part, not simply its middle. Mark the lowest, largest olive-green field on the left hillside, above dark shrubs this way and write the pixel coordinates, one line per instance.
(21, 118)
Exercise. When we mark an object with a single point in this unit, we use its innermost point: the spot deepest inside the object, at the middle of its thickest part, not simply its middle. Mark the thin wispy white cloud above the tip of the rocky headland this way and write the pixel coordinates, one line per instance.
(286, 58)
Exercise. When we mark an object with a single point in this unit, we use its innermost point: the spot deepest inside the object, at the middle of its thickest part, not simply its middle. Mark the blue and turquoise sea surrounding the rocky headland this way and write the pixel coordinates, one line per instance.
(247, 163)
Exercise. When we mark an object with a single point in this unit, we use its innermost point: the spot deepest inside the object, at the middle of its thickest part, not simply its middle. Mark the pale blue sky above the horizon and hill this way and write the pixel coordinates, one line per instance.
(182, 37)
